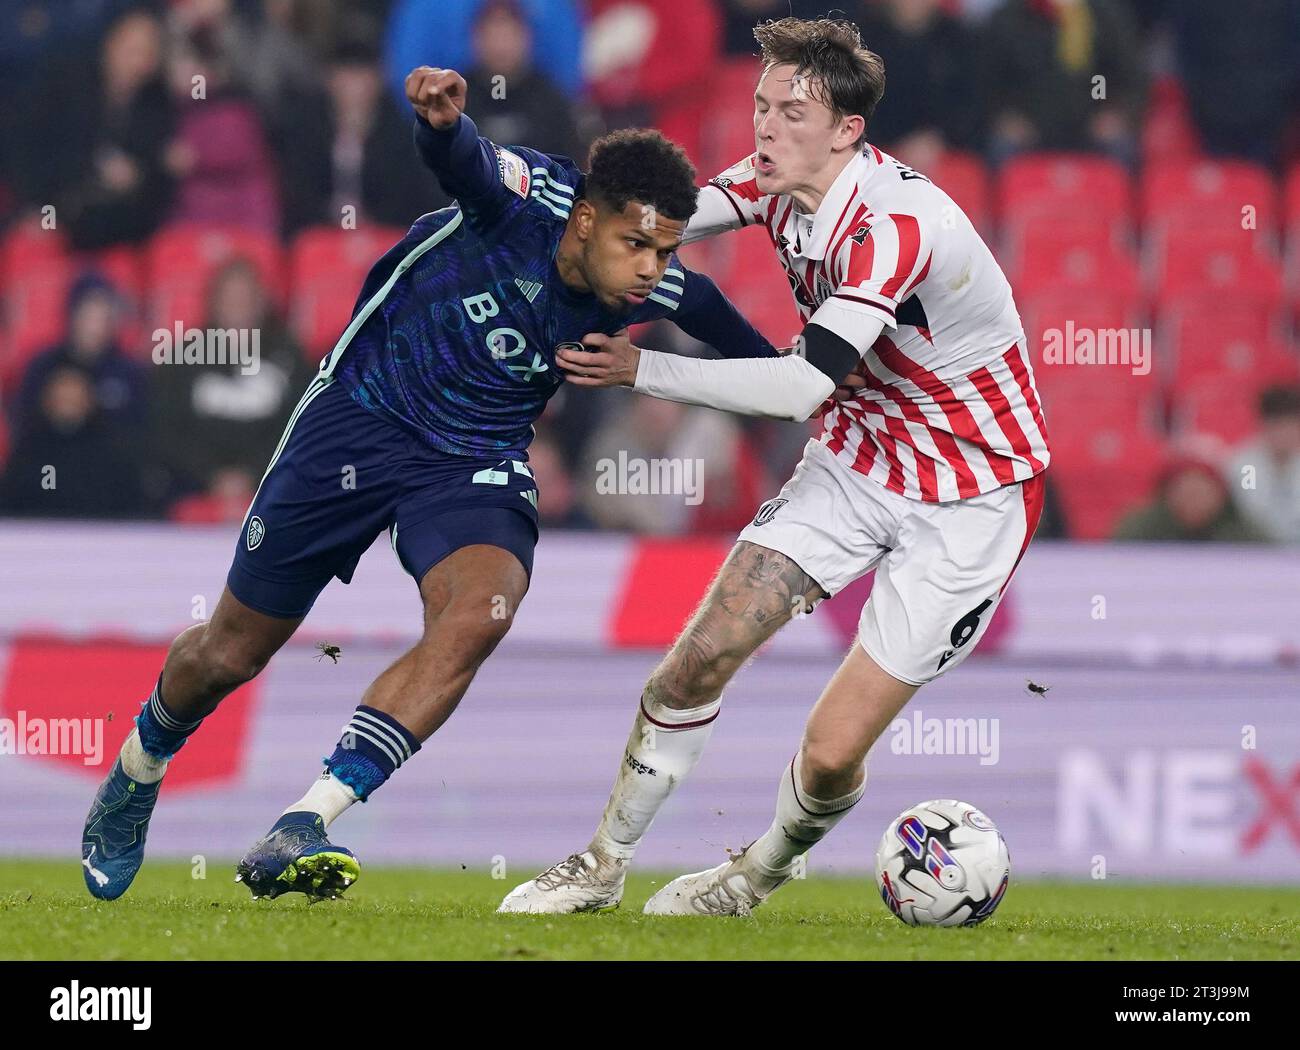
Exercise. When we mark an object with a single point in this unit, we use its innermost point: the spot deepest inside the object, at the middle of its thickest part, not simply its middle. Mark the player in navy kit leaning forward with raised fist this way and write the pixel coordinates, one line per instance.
(418, 424)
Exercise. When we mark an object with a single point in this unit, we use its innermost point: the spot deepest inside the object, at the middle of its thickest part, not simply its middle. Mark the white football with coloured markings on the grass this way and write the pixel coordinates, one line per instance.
(943, 864)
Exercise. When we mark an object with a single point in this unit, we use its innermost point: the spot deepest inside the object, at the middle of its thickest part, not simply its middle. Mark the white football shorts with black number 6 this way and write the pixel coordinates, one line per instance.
(941, 567)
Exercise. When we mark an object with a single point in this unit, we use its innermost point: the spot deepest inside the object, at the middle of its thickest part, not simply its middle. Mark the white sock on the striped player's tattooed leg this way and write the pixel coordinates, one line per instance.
(664, 748)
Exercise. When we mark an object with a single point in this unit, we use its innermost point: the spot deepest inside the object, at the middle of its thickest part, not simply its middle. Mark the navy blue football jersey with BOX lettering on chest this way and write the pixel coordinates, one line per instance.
(456, 331)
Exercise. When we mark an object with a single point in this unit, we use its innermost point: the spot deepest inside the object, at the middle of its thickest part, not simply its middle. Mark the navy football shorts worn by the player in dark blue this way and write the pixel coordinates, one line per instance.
(341, 476)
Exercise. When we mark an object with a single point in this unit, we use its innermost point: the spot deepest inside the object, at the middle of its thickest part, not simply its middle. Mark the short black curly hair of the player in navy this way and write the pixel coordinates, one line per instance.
(640, 164)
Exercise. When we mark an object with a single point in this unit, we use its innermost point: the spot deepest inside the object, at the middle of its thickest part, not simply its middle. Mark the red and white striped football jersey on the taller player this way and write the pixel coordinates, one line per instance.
(950, 410)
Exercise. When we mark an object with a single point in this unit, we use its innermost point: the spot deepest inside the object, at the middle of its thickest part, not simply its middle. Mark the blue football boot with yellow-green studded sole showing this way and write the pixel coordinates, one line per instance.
(296, 857)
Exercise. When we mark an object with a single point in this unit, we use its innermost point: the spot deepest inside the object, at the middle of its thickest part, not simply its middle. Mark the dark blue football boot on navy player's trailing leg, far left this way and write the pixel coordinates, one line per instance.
(114, 839)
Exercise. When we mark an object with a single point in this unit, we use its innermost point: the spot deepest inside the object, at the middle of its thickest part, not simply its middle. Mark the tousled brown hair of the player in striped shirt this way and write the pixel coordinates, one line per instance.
(829, 51)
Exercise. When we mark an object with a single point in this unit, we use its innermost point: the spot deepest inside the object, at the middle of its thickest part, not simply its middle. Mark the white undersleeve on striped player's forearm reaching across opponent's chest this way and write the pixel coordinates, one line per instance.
(786, 388)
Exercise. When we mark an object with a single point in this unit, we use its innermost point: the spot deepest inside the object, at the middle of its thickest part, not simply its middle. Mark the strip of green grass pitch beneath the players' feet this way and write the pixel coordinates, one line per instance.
(423, 914)
